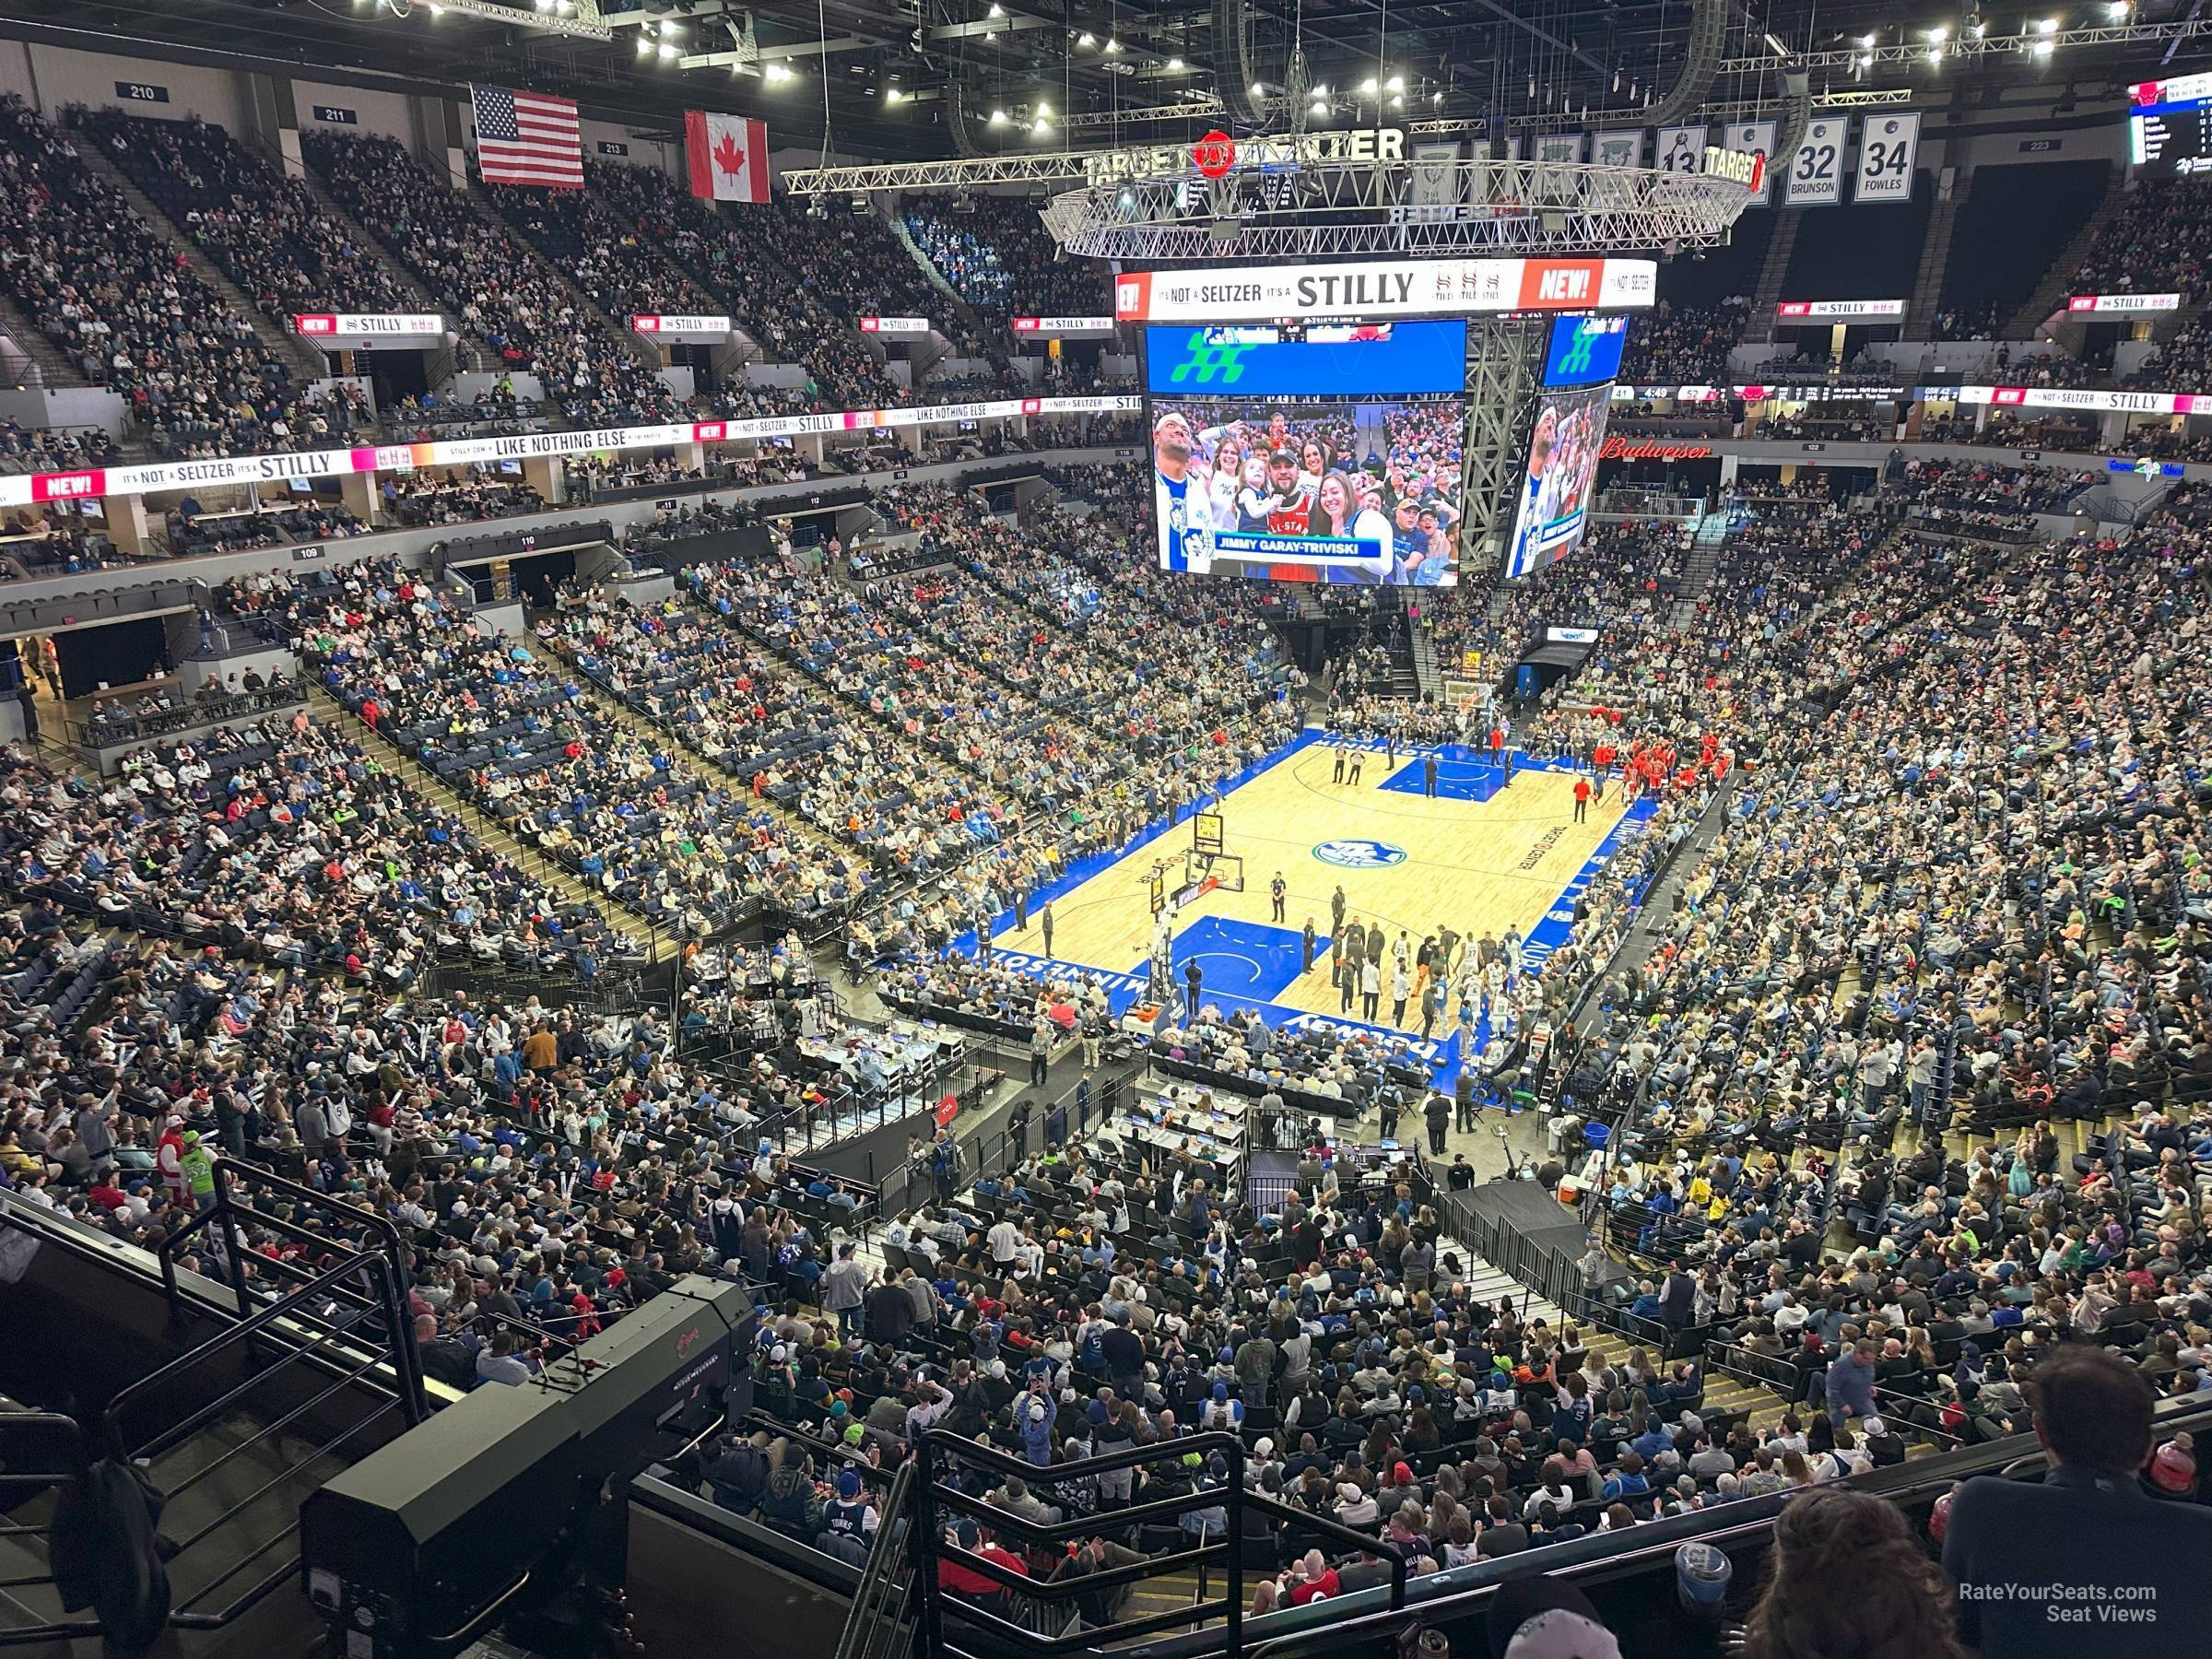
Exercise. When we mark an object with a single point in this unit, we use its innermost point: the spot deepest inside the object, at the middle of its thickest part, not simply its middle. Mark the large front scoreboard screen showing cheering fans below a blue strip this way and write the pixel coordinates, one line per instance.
(1308, 452)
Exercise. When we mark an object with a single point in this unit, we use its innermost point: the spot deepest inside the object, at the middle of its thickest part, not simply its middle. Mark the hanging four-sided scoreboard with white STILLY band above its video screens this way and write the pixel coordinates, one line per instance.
(1379, 424)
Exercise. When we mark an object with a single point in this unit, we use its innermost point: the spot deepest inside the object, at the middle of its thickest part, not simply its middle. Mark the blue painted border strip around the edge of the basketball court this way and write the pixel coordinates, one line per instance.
(1443, 1054)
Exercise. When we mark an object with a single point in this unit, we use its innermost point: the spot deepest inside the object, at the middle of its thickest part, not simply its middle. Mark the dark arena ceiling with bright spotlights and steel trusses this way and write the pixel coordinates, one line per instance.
(1081, 74)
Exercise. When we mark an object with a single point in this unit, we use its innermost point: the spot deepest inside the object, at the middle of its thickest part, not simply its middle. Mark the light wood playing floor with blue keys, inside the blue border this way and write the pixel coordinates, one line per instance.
(1479, 866)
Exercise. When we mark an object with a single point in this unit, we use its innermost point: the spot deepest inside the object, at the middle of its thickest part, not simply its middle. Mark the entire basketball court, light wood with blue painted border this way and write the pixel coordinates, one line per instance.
(1479, 857)
